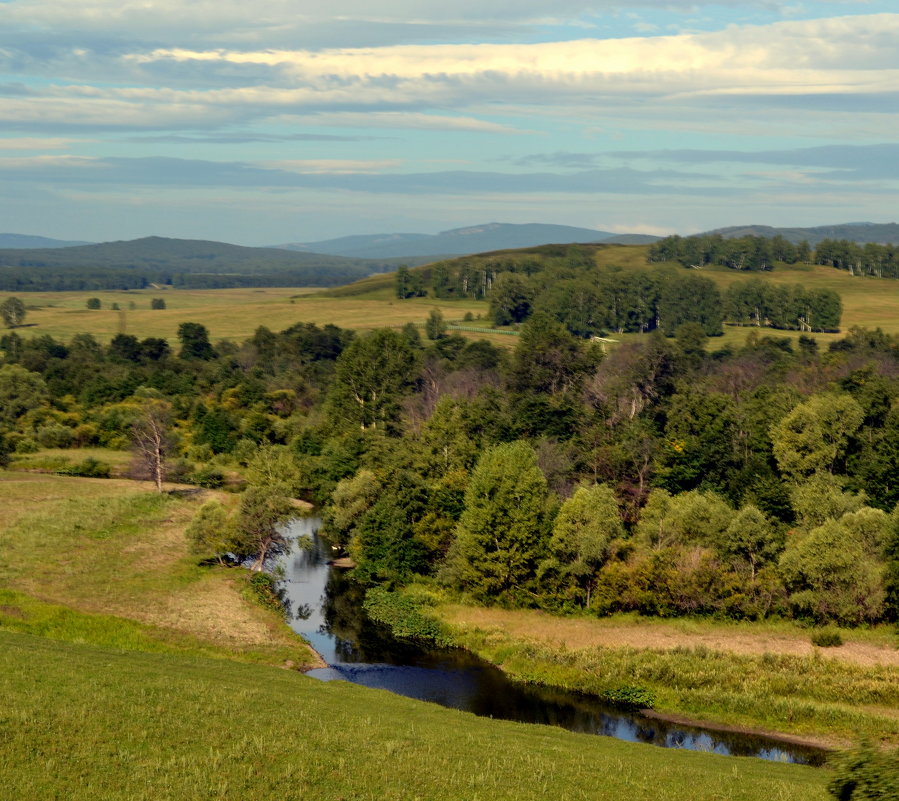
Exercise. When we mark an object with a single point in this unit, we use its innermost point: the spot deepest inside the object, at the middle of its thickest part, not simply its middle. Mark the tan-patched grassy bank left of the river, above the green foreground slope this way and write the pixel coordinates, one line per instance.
(106, 561)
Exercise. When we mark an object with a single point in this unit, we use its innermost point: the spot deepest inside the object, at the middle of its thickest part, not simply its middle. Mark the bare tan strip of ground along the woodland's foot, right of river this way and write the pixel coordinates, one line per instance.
(578, 634)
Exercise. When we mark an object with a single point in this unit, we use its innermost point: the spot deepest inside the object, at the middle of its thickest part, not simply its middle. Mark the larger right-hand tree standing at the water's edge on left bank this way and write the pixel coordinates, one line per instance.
(259, 527)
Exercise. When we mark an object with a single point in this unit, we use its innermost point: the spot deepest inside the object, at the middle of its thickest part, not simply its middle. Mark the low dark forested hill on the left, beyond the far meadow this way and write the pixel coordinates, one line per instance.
(179, 262)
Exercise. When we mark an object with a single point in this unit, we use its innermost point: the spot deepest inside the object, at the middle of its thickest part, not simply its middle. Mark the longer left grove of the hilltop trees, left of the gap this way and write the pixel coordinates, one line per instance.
(738, 253)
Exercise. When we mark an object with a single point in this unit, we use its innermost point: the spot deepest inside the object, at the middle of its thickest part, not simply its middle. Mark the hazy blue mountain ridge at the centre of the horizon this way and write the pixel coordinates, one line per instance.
(462, 241)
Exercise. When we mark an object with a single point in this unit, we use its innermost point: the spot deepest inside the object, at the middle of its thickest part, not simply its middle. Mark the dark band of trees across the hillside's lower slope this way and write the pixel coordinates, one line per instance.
(565, 283)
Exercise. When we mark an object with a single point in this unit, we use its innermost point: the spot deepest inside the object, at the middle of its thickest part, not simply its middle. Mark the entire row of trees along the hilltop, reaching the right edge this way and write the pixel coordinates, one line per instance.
(759, 253)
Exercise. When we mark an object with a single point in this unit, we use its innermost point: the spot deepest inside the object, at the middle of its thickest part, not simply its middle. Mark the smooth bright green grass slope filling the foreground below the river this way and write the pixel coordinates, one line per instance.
(87, 724)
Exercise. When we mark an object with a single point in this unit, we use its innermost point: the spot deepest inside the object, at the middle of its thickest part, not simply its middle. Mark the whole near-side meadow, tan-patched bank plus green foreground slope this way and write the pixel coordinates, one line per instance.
(132, 672)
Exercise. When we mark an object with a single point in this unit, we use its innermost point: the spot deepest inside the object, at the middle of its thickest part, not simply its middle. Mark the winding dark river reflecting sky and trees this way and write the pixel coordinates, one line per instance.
(326, 608)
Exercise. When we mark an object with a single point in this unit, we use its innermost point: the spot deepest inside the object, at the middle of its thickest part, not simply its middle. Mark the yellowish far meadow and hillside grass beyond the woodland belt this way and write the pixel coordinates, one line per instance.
(370, 303)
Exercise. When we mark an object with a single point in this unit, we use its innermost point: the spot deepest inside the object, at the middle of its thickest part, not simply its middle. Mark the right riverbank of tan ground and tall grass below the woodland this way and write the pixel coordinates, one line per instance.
(764, 678)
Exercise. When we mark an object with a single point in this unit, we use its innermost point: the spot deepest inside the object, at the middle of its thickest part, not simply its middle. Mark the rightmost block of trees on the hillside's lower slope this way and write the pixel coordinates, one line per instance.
(791, 307)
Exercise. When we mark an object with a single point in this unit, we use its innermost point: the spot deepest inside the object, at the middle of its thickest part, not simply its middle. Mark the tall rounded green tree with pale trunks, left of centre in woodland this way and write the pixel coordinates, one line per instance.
(370, 378)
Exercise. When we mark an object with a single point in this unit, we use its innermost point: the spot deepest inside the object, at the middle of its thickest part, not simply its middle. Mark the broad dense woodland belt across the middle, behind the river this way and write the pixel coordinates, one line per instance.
(665, 476)
